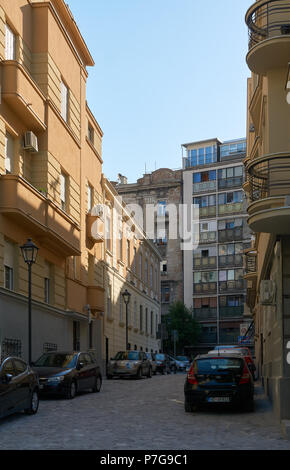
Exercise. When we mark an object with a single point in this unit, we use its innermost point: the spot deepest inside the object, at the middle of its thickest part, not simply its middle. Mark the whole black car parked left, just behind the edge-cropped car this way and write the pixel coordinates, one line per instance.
(67, 373)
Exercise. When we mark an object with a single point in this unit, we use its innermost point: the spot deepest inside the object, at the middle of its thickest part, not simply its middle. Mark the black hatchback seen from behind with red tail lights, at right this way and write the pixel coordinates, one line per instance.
(221, 379)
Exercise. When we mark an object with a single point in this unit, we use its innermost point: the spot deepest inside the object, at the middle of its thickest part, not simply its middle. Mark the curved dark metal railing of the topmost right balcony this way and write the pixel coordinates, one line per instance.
(268, 19)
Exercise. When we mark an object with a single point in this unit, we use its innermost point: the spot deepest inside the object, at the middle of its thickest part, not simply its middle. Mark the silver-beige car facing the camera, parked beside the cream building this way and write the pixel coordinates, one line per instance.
(129, 363)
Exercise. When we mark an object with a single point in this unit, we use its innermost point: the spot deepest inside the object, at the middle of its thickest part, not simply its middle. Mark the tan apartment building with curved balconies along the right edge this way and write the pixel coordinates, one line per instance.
(268, 191)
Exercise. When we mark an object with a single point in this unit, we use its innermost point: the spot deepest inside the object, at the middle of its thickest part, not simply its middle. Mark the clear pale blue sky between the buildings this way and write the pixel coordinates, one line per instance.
(167, 72)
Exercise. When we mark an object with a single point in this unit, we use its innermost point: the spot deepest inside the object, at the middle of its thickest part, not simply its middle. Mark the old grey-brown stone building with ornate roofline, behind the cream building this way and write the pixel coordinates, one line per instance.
(163, 190)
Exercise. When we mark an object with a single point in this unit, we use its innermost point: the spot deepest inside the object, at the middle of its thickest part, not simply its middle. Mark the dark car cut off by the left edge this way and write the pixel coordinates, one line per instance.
(19, 387)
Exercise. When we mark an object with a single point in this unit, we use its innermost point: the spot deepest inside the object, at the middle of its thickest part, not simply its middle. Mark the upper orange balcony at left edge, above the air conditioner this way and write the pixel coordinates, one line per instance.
(23, 96)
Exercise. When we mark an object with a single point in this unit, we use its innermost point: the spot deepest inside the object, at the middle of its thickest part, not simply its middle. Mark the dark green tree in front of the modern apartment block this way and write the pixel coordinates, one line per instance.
(180, 318)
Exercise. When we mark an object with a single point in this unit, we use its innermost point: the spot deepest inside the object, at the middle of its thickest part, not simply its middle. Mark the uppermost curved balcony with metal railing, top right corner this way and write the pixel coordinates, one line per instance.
(269, 35)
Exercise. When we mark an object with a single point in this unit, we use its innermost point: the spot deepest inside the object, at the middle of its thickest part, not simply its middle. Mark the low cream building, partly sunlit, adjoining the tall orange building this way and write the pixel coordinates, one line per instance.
(131, 263)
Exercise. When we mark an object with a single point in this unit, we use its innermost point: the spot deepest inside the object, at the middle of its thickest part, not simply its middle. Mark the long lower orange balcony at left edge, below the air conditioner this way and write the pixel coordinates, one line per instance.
(46, 222)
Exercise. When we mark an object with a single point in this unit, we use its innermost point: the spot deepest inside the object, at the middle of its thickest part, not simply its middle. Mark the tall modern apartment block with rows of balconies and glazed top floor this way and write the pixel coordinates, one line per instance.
(214, 286)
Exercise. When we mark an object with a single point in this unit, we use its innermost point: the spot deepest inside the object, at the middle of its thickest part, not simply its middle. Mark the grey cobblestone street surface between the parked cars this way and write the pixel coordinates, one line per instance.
(146, 414)
